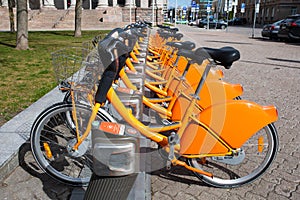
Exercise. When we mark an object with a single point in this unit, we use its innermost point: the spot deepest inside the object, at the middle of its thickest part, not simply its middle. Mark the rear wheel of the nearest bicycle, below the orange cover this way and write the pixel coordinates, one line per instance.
(256, 156)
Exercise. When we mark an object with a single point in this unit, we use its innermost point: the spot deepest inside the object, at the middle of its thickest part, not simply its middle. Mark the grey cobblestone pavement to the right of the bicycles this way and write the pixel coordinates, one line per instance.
(270, 74)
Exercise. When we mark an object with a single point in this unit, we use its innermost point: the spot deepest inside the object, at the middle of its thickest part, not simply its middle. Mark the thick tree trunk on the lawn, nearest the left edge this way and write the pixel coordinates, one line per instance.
(22, 25)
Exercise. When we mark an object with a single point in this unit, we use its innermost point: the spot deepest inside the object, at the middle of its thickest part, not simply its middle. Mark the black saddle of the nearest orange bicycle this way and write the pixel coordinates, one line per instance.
(224, 56)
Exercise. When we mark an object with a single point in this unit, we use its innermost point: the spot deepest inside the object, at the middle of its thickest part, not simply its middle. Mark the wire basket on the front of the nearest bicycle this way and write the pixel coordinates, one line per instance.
(77, 69)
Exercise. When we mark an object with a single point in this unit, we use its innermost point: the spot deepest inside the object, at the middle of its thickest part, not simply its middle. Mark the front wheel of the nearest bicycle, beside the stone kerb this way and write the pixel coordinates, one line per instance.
(52, 136)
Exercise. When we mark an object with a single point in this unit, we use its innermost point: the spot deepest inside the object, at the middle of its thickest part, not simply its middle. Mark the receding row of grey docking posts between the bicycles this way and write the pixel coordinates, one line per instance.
(119, 165)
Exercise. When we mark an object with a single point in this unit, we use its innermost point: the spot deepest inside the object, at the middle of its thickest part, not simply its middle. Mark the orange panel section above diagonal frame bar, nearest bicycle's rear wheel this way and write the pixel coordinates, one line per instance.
(237, 120)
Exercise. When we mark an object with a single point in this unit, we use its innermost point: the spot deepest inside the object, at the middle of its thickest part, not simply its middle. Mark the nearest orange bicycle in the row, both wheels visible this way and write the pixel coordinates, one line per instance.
(228, 144)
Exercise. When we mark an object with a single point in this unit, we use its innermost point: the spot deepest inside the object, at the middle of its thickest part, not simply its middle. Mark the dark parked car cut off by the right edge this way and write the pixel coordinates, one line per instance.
(290, 28)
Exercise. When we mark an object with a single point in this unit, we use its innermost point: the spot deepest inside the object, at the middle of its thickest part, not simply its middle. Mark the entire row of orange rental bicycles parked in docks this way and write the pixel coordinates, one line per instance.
(143, 82)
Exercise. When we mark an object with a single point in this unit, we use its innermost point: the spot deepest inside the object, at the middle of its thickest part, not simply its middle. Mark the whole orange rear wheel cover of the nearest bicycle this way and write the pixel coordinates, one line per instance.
(225, 126)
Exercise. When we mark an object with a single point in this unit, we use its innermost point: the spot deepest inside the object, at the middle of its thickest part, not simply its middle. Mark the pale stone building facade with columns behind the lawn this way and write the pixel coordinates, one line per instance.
(113, 10)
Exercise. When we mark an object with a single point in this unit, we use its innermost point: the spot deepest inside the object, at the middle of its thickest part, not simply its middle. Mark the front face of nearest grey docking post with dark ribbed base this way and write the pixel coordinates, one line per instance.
(115, 163)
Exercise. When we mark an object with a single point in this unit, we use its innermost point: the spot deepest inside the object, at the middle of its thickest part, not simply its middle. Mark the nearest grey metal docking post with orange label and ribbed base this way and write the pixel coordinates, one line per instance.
(119, 169)
